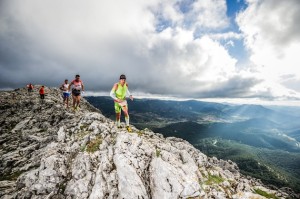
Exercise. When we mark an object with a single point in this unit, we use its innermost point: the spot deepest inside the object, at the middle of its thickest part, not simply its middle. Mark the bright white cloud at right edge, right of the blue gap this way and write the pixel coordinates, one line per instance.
(272, 36)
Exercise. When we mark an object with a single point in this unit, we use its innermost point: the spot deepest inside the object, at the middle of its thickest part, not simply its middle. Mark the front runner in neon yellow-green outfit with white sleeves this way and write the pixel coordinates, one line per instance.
(119, 93)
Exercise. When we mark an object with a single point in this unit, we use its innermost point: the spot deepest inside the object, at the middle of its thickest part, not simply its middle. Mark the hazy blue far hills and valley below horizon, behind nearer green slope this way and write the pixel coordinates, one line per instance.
(211, 119)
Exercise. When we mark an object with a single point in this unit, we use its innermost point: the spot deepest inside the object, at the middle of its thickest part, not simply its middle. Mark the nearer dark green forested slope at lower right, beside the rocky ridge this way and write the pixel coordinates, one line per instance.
(271, 166)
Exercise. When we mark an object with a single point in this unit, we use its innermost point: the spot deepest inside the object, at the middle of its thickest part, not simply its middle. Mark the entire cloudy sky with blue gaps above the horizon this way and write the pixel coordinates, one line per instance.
(238, 49)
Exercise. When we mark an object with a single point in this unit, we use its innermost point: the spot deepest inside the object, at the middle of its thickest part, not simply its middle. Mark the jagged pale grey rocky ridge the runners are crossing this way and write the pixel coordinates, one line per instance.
(49, 151)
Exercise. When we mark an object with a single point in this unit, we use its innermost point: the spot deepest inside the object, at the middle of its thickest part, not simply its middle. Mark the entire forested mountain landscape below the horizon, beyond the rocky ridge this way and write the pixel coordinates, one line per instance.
(264, 130)
